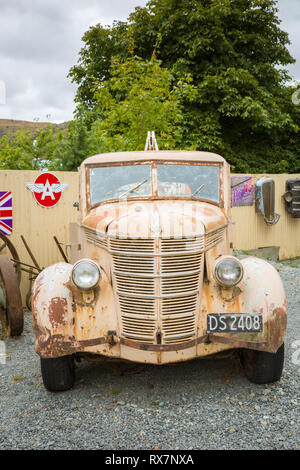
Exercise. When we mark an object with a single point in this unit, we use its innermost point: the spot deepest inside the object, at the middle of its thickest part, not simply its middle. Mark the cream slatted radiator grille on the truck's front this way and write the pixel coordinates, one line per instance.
(158, 284)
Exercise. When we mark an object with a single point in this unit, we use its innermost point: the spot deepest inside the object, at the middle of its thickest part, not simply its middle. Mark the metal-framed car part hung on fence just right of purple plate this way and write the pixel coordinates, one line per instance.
(265, 200)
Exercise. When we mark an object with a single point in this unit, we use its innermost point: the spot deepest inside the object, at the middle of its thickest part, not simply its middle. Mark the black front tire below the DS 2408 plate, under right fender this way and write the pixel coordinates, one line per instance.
(263, 367)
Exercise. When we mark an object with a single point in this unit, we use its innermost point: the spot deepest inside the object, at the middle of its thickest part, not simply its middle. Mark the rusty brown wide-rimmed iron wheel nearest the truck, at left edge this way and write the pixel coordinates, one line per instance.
(10, 297)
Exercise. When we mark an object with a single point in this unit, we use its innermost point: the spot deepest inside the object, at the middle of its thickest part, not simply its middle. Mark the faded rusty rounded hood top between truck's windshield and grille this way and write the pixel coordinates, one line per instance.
(155, 218)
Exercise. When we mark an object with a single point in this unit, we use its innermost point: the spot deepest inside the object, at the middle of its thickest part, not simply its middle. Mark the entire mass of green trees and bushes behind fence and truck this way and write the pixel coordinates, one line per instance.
(204, 74)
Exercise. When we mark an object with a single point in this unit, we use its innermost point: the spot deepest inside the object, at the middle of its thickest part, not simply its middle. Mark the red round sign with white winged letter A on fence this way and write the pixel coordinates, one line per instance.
(47, 189)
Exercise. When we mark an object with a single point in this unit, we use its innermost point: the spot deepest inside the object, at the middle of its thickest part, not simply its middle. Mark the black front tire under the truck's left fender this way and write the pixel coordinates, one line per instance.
(58, 373)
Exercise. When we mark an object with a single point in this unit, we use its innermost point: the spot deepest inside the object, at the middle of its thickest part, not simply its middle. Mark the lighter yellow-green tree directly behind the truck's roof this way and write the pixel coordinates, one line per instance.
(139, 96)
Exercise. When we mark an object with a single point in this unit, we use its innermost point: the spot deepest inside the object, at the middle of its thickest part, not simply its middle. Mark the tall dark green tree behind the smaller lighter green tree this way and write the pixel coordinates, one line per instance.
(236, 54)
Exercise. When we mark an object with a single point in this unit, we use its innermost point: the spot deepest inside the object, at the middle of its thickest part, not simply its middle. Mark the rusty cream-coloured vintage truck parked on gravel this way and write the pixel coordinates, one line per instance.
(152, 278)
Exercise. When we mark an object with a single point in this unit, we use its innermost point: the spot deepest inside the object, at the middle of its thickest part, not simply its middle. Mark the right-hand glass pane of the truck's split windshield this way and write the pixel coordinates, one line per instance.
(200, 181)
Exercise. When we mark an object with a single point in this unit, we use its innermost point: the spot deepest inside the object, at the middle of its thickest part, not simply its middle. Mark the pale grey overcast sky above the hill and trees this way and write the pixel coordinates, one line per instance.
(40, 41)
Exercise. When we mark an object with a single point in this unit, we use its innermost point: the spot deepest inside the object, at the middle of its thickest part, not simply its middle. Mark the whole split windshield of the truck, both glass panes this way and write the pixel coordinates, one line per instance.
(173, 180)
